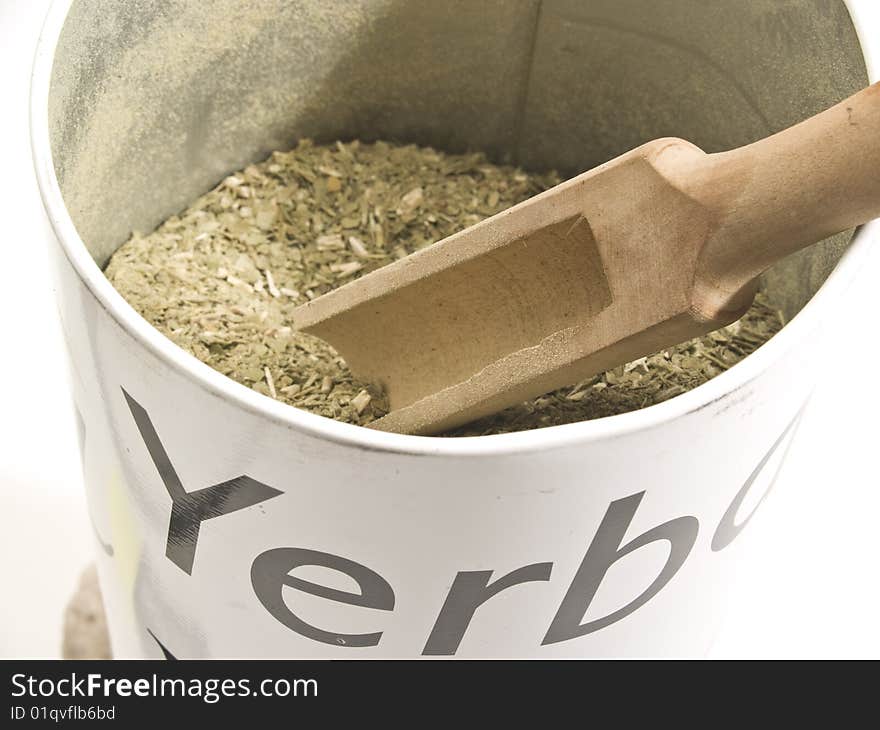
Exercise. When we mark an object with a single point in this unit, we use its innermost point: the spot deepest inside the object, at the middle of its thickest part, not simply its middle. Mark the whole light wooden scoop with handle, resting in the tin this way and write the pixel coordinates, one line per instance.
(648, 250)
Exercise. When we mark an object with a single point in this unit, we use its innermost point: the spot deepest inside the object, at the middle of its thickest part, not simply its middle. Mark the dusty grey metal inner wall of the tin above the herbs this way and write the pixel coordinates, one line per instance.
(153, 102)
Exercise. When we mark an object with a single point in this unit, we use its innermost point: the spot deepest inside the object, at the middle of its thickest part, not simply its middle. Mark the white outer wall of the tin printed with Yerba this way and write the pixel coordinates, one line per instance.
(416, 520)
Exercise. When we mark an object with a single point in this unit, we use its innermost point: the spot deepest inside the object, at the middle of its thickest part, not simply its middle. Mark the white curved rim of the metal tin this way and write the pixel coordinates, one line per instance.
(542, 439)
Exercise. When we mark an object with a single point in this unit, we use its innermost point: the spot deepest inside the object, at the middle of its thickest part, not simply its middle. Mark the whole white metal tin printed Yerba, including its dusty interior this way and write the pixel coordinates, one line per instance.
(231, 525)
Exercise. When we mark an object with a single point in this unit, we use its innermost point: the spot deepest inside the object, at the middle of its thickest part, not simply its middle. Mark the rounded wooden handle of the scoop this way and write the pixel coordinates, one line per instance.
(787, 191)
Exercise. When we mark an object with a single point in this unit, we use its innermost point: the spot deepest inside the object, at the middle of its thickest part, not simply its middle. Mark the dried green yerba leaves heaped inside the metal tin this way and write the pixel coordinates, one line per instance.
(222, 278)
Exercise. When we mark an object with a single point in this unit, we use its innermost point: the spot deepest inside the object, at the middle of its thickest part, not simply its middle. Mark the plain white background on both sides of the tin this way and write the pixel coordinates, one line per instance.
(813, 589)
